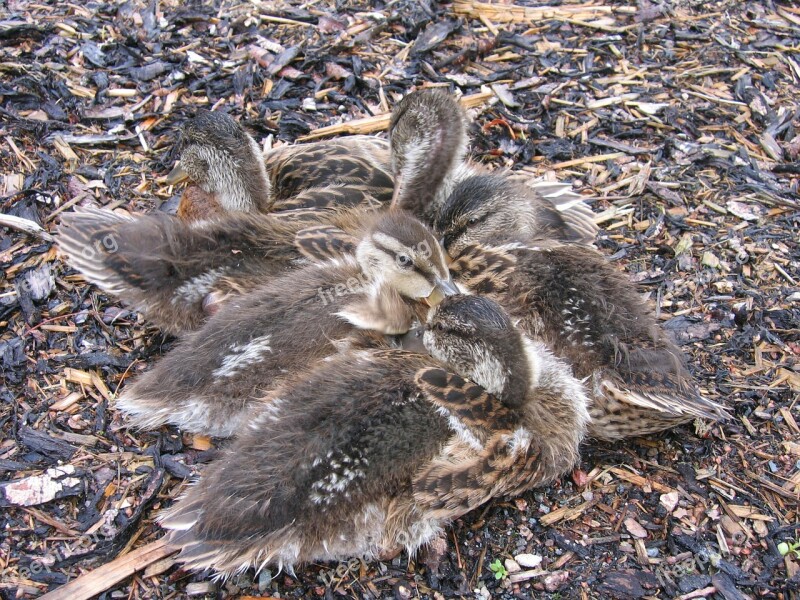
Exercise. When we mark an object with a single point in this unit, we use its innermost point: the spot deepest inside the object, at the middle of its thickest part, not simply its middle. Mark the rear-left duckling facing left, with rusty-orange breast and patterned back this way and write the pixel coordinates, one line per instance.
(224, 161)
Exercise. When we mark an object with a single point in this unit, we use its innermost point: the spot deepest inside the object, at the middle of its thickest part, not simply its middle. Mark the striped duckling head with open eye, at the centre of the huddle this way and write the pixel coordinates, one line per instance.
(400, 252)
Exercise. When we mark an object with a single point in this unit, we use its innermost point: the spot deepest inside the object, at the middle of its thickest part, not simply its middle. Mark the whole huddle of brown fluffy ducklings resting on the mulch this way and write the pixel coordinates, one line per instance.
(391, 335)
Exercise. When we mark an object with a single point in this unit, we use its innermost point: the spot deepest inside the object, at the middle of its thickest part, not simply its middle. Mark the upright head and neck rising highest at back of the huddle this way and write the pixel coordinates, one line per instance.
(428, 137)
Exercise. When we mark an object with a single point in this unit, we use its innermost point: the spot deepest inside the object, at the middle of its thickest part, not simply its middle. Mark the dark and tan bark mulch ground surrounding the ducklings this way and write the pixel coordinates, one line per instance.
(677, 120)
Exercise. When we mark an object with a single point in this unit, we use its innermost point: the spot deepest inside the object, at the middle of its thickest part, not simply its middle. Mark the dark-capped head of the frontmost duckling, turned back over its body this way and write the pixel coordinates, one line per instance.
(476, 338)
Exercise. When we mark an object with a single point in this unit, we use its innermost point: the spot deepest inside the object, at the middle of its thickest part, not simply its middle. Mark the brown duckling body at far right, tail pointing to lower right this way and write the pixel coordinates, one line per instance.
(572, 299)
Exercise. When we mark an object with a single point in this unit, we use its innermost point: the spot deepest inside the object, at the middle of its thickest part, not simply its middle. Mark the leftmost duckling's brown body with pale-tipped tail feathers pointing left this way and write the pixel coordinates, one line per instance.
(177, 273)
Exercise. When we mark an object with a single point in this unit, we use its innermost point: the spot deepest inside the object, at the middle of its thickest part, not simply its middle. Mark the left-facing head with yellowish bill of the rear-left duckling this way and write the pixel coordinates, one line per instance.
(223, 160)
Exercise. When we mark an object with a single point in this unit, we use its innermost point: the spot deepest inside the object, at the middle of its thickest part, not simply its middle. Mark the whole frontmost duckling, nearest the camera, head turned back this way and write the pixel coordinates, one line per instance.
(378, 450)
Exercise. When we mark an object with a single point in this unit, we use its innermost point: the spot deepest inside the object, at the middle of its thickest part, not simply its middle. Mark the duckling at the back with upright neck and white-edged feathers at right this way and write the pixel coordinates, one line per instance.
(427, 133)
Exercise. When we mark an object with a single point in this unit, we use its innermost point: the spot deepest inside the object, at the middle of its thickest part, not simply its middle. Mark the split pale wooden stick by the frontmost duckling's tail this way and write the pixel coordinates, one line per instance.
(103, 578)
